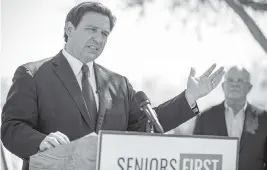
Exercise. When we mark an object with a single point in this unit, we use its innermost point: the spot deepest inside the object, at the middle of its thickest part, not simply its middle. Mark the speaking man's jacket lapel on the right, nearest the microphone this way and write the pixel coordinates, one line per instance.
(105, 100)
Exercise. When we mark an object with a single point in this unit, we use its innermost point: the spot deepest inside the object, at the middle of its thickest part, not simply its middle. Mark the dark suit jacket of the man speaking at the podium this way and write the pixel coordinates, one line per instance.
(45, 97)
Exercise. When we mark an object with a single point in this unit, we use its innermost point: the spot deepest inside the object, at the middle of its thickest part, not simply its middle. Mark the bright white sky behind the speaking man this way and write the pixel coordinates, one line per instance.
(137, 48)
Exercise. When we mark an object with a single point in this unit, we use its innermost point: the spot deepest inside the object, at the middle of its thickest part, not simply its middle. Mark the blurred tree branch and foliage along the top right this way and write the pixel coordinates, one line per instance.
(240, 7)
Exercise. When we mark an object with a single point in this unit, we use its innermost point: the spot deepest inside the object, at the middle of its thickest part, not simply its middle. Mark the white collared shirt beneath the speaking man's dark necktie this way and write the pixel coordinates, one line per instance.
(76, 66)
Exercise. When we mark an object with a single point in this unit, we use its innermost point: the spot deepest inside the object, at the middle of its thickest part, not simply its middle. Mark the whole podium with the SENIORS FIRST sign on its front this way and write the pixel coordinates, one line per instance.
(112, 150)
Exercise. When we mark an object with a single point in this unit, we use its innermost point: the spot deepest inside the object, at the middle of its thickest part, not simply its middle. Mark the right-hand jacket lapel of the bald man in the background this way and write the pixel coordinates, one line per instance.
(250, 126)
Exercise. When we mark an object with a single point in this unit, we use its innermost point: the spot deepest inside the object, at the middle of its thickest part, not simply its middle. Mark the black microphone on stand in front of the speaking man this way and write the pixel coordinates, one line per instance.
(145, 106)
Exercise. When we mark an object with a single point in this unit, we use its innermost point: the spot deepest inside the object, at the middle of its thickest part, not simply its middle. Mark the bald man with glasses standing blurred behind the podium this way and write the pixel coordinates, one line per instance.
(235, 117)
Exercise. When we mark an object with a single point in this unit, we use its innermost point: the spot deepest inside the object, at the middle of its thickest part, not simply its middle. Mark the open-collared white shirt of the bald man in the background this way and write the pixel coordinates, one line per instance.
(234, 122)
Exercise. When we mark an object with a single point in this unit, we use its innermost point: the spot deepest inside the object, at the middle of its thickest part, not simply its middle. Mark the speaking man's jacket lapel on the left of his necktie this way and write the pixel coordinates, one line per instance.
(66, 75)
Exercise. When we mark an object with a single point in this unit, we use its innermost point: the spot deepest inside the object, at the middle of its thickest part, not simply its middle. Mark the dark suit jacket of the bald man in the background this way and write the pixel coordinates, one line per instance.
(253, 140)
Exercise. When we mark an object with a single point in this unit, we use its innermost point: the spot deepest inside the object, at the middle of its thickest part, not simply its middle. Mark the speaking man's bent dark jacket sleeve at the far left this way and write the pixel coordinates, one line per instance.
(19, 130)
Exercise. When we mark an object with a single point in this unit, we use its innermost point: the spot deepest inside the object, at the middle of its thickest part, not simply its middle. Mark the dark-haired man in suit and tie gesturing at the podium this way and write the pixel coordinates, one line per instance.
(65, 97)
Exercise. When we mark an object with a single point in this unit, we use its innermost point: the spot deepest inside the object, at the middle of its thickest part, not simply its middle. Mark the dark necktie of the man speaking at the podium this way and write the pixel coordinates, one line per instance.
(88, 94)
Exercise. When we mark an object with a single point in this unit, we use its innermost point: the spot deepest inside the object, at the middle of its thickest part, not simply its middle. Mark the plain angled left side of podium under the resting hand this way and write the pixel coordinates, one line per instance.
(80, 154)
